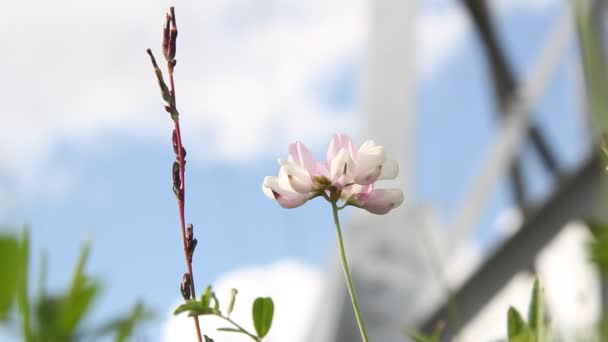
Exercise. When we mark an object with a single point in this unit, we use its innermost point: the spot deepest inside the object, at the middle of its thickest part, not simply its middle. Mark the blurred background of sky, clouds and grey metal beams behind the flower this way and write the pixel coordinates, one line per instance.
(482, 102)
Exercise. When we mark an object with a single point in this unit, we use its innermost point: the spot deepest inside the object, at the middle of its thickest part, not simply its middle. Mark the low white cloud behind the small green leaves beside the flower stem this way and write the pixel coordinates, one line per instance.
(294, 287)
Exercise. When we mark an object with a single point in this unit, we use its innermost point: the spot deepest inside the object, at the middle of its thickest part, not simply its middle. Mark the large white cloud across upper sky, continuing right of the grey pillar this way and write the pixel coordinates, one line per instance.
(251, 75)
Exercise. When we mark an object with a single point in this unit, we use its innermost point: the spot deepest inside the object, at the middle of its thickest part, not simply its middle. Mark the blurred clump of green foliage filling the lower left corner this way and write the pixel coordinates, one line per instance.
(58, 316)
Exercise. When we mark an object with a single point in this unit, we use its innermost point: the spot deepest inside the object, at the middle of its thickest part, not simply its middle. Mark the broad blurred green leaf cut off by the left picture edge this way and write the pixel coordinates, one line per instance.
(9, 269)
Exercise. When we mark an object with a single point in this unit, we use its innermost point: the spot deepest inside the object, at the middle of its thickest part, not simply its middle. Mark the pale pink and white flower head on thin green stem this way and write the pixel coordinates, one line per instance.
(348, 175)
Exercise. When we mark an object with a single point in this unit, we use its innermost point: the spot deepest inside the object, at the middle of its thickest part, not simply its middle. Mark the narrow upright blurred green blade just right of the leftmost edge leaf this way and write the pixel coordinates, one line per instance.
(22, 284)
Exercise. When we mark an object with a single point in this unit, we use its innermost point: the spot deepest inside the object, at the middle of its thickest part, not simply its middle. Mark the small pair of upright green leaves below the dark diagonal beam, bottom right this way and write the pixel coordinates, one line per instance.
(535, 329)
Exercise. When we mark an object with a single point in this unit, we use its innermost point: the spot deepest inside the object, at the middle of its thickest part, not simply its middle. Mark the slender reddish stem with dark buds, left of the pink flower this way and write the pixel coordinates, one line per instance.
(179, 180)
